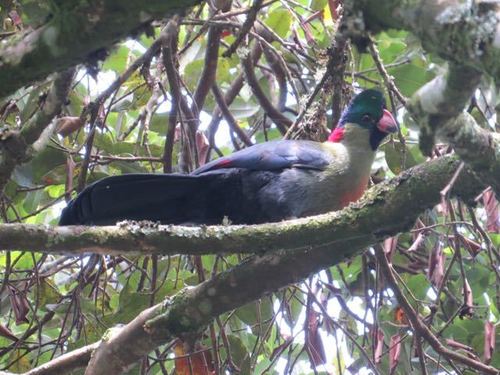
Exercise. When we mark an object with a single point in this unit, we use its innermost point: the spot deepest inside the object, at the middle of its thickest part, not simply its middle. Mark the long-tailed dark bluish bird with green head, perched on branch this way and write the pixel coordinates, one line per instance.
(266, 182)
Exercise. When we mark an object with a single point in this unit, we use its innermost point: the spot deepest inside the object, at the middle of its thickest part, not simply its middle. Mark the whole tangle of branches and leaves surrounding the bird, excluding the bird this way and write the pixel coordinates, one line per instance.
(406, 280)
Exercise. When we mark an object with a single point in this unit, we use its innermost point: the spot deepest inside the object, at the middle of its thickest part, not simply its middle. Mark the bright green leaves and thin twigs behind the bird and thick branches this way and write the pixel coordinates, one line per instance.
(336, 321)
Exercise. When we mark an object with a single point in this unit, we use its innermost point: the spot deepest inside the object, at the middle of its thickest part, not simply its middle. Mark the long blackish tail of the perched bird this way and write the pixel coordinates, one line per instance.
(167, 198)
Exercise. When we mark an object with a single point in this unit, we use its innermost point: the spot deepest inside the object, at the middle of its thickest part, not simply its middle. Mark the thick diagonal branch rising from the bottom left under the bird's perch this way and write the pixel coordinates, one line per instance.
(192, 309)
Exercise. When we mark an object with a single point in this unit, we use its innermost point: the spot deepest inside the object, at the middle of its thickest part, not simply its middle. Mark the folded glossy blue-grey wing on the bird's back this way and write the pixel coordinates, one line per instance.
(273, 155)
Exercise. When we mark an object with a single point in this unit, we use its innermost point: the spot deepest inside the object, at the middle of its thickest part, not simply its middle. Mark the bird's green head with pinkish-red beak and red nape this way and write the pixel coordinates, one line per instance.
(365, 115)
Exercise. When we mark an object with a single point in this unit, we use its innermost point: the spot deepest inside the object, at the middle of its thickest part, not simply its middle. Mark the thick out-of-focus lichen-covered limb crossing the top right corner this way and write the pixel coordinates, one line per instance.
(467, 33)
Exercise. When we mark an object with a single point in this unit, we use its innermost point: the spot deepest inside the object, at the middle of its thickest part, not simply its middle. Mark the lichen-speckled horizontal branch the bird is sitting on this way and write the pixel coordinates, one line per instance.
(388, 208)
